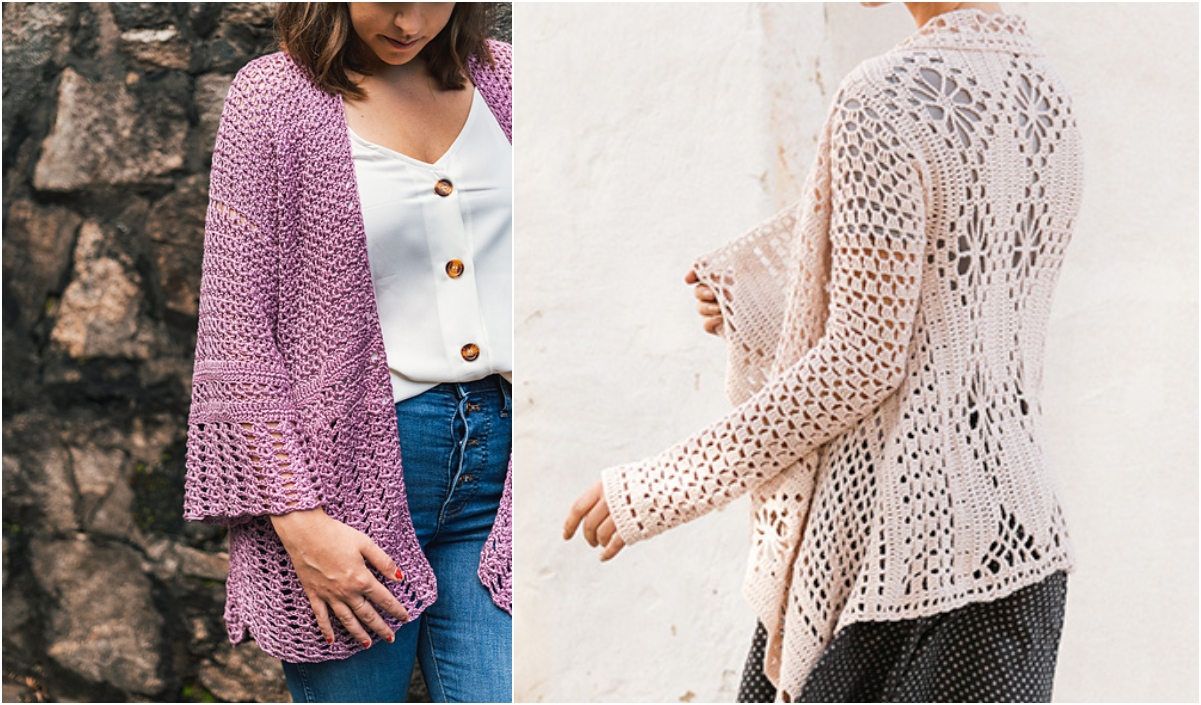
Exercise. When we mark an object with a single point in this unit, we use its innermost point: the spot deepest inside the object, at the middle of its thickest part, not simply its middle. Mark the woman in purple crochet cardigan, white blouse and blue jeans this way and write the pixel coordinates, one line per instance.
(356, 312)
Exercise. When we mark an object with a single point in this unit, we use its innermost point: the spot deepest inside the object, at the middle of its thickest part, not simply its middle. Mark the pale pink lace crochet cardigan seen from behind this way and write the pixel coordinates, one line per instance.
(886, 343)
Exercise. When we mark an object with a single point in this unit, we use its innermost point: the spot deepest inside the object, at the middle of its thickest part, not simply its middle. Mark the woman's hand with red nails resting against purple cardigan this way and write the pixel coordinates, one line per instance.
(330, 559)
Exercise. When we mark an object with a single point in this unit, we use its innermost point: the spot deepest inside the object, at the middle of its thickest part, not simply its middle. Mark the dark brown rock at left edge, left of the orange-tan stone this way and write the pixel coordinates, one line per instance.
(38, 244)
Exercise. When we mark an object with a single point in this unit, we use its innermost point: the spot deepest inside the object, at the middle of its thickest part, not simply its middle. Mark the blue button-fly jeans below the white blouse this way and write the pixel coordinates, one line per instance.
(456, 443)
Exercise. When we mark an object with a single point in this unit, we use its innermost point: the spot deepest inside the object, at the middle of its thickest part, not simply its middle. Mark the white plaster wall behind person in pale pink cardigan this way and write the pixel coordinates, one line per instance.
(647, 135)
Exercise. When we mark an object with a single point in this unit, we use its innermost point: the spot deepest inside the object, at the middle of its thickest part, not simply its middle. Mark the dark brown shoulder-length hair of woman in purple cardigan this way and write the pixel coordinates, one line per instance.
(320, 38)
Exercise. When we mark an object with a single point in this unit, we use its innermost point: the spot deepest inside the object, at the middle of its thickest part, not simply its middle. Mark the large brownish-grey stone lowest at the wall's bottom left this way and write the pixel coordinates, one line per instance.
(104, 626)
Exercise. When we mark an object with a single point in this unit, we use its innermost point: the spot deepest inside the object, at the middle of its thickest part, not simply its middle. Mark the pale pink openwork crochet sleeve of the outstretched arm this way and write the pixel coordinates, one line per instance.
(877, 242)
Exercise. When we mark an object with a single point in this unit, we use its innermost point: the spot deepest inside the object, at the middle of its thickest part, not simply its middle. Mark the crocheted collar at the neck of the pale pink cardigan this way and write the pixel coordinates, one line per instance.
(973, 29)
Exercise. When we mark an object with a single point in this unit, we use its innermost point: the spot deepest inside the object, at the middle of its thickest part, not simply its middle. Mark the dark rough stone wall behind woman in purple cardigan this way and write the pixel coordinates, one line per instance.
(111, 112)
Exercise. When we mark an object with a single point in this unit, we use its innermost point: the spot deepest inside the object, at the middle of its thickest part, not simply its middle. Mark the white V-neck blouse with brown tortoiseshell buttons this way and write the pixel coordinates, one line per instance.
(440, 243)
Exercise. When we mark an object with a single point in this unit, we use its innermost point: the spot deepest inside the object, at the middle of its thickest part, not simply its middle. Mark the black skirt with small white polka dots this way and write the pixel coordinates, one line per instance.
(1001, 652)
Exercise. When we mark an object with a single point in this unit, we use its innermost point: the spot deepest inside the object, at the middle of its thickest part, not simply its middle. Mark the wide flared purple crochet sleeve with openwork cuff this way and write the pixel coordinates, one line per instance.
(246, 455)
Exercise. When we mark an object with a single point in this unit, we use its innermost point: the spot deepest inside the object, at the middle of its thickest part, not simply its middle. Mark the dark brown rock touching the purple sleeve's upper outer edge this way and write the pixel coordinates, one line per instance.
(176, 229)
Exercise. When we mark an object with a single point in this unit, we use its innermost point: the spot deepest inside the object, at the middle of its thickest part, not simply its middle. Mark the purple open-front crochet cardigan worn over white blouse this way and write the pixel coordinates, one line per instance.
(292, 408)
